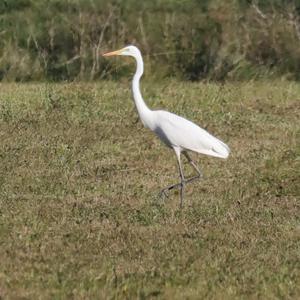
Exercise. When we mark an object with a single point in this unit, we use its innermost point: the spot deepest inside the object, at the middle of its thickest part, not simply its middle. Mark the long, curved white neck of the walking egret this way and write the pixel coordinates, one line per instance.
(144, 112)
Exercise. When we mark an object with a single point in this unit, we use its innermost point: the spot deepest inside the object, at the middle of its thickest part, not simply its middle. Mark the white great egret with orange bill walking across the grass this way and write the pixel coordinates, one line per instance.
(176, 132)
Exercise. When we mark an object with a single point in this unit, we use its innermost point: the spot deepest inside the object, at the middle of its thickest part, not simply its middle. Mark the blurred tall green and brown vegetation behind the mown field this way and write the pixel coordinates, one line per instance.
(193, 40)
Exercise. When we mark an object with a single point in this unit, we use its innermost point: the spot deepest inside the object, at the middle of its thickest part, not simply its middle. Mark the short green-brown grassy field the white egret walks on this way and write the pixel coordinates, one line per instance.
(79, 179)
